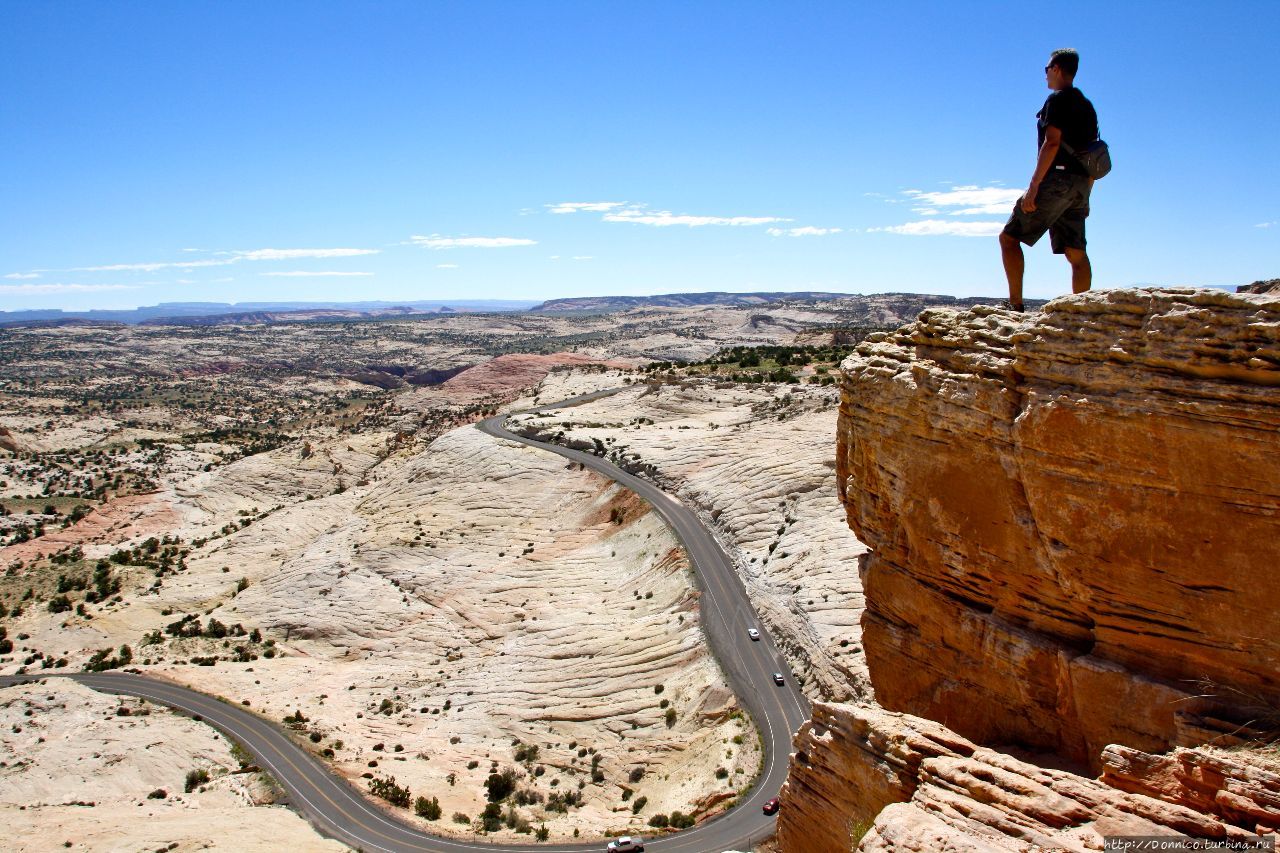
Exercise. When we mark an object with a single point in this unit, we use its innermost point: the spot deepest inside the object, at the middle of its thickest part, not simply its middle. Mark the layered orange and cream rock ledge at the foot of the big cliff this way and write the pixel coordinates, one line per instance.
(872, 781)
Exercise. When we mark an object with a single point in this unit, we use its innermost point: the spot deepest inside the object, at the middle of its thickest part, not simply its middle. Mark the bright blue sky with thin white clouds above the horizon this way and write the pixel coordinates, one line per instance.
(249, 152)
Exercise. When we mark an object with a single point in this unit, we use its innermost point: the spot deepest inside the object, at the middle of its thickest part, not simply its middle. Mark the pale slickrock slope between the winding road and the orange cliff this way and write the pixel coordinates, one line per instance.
(753, 459)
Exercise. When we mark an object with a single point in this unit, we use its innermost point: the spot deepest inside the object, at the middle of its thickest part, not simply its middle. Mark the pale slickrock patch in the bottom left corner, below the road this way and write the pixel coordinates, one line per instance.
(104, 774)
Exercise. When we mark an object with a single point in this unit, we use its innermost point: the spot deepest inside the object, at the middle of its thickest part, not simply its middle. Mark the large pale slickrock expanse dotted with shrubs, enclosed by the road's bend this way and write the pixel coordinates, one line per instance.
(432, 626)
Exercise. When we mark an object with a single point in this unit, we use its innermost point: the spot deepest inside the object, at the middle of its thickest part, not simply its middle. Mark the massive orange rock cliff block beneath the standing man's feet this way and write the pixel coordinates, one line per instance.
(1075, 517)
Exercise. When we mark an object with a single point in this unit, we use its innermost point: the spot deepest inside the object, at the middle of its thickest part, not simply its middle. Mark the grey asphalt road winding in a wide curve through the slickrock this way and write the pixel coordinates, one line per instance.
(340, 811)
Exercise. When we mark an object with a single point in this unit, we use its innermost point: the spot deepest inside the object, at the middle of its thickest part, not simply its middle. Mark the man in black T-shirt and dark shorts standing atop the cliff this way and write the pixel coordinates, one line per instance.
(1058, 198)
